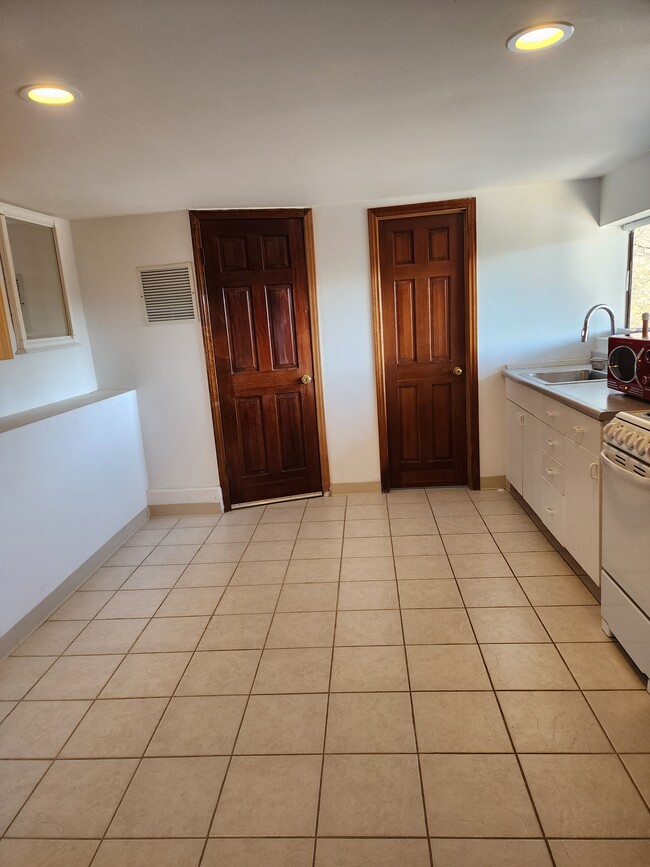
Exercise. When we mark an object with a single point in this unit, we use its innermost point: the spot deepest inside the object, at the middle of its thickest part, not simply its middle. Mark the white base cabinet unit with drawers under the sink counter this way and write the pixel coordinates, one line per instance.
(552, 460)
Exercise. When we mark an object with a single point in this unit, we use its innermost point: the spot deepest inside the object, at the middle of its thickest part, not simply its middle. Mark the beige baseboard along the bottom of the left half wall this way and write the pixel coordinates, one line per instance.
(33, 619)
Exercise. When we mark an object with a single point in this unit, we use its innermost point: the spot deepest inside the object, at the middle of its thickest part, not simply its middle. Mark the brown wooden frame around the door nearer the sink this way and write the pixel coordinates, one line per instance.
(467, 208)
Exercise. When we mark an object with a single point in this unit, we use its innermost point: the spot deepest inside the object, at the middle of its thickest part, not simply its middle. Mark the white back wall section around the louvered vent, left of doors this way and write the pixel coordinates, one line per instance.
(164, 362)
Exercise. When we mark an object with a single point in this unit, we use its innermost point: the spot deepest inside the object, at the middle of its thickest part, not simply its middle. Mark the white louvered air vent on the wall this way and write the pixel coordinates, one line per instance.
(168, 293)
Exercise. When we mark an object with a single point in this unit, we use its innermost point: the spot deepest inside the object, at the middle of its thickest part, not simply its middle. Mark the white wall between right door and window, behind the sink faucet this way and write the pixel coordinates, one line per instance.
(542, 262)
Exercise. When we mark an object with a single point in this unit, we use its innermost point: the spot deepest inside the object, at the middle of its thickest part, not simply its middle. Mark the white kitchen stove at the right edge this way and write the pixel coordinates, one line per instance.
(625, 597)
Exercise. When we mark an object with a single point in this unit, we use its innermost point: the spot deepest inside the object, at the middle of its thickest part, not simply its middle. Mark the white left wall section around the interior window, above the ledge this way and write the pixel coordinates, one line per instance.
(38, 378)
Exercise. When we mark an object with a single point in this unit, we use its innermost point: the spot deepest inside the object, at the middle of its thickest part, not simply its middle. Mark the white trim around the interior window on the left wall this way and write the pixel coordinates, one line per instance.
(23, 343)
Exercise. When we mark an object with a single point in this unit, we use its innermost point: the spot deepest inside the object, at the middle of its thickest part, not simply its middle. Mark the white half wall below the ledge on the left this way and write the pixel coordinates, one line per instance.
(69, 483)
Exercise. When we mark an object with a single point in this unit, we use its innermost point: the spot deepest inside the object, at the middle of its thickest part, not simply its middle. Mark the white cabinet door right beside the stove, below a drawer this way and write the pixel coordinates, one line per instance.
(582, 507)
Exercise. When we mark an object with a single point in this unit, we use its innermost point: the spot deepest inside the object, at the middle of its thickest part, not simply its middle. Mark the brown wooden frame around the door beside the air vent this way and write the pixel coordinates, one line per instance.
(304, 214)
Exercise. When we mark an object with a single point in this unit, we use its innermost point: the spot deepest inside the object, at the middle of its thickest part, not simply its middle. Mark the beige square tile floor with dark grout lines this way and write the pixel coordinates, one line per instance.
(369, 681)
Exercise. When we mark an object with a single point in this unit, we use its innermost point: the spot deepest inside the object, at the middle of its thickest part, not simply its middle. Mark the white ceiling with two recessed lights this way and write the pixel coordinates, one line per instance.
(243, 103)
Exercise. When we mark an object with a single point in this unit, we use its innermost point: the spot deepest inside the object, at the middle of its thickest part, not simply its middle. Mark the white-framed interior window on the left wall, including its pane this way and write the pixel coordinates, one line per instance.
(33, 280)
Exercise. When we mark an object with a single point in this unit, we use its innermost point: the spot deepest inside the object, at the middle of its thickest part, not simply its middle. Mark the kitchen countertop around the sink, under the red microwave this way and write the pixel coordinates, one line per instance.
(592, 397)
